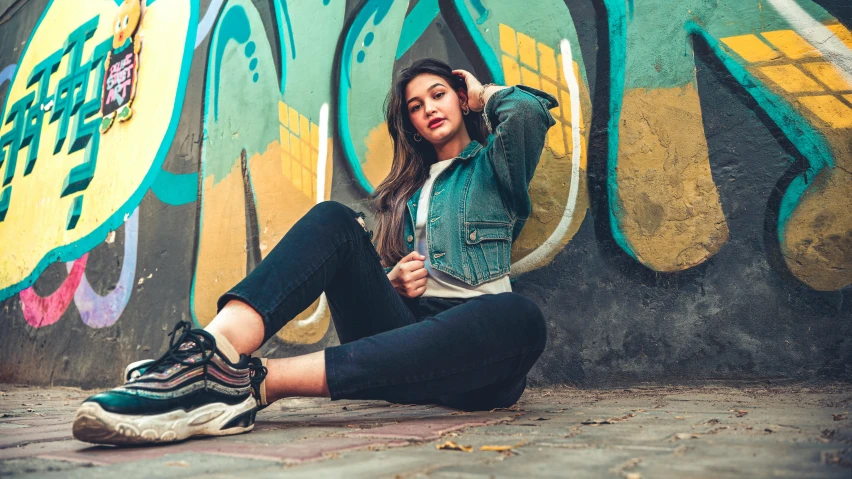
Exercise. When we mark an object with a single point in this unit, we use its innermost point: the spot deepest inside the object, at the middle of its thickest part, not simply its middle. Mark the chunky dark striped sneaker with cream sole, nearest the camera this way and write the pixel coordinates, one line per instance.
(199, 387)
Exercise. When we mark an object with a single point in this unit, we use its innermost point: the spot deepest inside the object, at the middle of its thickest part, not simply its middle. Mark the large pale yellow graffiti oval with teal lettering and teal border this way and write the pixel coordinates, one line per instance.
(63, 184)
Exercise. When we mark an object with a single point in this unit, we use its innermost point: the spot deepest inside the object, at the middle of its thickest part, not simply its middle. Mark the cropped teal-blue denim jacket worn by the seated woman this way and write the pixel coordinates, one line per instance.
(480, 202)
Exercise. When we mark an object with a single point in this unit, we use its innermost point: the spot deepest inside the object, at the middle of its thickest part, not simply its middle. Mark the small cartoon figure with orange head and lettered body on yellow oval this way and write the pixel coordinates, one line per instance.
(122, 65)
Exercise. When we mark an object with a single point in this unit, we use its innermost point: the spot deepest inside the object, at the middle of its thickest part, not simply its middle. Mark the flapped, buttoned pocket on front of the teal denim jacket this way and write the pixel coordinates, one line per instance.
(488, 244)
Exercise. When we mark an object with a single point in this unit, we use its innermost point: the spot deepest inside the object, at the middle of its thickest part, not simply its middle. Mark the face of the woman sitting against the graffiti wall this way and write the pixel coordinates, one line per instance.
(435, 109)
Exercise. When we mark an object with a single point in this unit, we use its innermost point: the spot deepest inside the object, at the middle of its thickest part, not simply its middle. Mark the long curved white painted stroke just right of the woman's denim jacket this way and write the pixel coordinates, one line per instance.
(550, 246)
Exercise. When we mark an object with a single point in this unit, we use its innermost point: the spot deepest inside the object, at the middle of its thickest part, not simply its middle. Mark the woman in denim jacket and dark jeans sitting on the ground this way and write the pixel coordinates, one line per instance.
(424, 315)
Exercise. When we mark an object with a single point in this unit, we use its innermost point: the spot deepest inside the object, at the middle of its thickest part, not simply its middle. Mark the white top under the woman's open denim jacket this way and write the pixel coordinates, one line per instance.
(439, 284)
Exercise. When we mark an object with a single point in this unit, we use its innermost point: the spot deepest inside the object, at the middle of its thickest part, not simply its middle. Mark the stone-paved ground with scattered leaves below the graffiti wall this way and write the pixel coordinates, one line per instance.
(650, 432)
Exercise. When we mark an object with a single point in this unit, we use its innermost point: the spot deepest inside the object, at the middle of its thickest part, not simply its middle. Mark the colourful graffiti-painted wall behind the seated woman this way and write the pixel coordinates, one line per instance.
(692, 208)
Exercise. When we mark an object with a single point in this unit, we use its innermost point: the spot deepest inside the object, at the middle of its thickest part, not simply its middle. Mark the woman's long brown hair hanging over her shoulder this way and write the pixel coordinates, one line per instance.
(411, 159)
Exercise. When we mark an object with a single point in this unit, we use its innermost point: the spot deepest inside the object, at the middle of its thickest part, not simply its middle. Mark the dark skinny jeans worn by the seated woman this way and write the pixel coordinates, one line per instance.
(470, 354)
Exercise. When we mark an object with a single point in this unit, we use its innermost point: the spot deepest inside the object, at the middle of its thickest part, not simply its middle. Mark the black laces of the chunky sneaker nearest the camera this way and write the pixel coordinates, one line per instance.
(183, 347)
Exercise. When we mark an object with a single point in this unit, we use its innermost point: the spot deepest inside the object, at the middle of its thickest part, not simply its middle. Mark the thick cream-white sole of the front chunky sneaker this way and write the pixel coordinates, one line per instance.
(96, 425)
